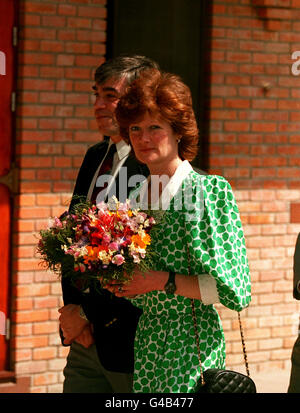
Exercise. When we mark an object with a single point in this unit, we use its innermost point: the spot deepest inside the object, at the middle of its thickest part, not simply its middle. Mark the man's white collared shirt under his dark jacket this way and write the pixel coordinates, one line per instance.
(120, 156)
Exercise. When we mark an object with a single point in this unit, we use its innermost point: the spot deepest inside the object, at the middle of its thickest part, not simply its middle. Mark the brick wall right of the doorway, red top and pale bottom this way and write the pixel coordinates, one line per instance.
(254, 142)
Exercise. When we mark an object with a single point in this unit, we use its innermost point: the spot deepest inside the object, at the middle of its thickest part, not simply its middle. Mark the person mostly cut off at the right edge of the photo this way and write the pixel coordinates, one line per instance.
(294, 386)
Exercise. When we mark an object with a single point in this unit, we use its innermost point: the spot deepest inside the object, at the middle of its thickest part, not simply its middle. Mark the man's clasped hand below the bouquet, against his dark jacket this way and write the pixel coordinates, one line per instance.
(71, 323)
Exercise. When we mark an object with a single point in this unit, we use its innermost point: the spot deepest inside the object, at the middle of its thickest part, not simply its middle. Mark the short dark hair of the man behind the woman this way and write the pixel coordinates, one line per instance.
(124, 66)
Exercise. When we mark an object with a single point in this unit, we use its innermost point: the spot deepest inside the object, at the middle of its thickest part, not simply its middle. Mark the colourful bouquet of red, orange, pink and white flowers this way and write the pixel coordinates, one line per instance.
(102, 243)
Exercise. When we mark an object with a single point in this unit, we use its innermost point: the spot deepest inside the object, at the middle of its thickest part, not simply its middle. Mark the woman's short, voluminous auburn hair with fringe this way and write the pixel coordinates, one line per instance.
(165, 95)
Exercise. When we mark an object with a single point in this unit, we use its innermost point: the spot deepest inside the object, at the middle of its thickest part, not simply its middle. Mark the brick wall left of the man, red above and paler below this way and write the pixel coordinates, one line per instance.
(61, 43)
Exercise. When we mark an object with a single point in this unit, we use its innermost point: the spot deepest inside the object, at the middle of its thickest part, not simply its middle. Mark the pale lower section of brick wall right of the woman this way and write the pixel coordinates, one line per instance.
(271, 321)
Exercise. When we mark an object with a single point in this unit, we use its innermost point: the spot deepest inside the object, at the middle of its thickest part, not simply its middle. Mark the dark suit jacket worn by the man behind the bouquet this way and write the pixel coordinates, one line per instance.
(115, 342)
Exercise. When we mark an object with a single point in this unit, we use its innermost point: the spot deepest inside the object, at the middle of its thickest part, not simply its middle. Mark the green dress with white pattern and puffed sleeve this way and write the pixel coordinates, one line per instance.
(201, 233)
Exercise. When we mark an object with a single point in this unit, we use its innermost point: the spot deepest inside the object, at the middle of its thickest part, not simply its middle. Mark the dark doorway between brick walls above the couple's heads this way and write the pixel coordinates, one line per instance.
(175, 33)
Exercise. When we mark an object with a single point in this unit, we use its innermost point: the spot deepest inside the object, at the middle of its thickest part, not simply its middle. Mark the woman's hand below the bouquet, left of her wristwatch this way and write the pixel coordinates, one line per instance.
(140, 283)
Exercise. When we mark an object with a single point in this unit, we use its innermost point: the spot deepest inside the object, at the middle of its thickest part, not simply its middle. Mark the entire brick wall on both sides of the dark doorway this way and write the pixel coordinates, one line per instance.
(254, 142)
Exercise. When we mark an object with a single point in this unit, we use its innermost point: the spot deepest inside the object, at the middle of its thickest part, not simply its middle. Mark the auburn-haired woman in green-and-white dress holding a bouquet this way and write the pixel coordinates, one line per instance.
(201, 234)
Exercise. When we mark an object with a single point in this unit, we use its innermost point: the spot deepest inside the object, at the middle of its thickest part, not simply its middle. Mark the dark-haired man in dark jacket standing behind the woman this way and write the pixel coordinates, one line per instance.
(99, 326)
